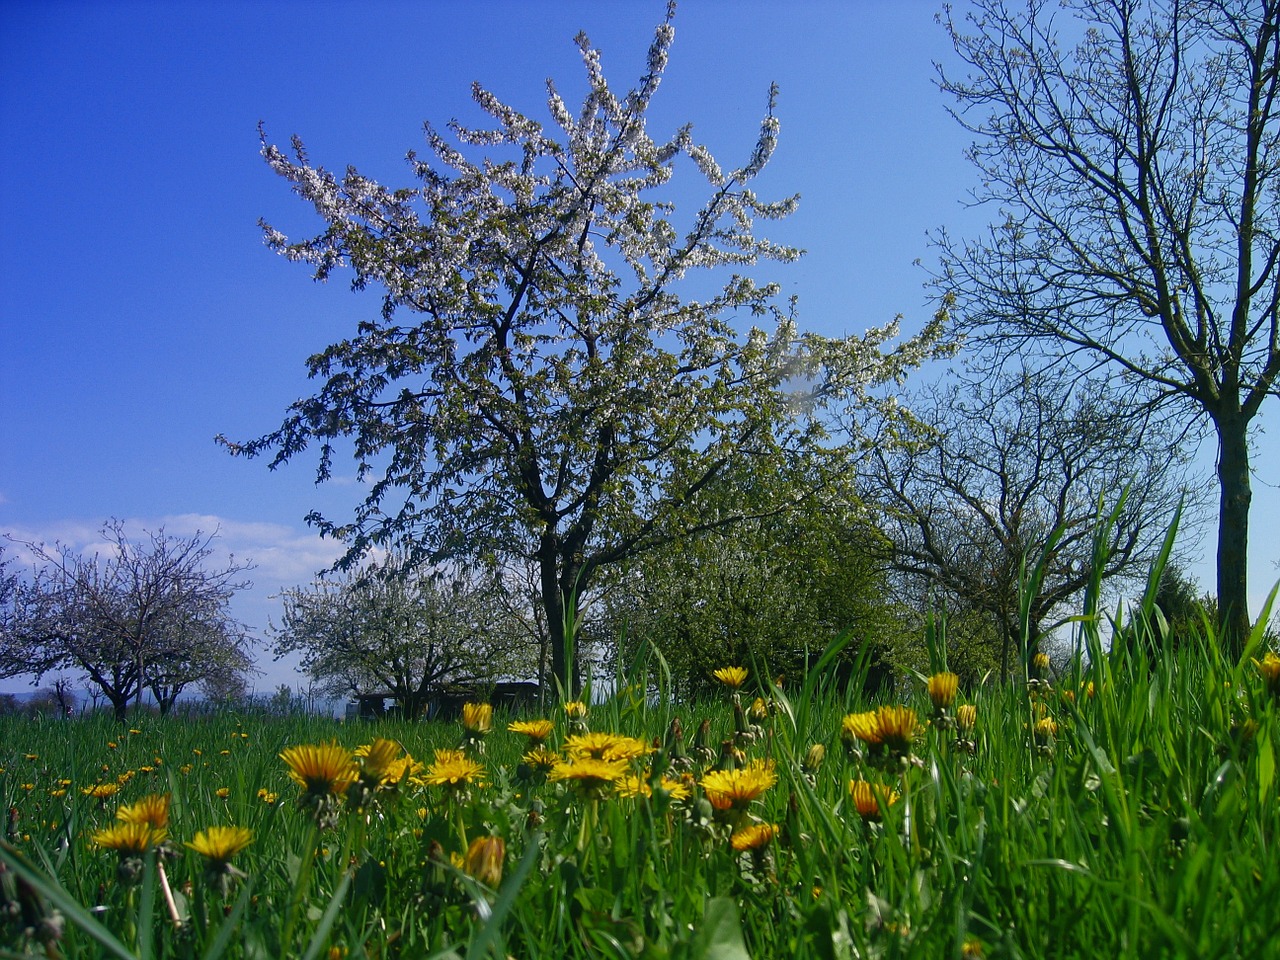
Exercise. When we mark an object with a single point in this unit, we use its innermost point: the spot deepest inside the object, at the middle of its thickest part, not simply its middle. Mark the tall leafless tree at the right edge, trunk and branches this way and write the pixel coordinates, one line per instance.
(1132, 152)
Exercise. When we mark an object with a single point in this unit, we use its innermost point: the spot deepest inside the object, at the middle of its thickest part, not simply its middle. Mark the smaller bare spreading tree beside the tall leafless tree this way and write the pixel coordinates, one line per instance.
(1000, 467)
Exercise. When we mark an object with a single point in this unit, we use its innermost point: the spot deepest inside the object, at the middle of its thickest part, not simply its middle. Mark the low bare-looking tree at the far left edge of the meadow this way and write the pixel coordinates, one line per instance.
(141, 614)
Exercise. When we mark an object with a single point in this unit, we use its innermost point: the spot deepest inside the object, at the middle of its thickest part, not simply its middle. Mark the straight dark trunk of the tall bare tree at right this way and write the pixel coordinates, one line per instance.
(1233, 533)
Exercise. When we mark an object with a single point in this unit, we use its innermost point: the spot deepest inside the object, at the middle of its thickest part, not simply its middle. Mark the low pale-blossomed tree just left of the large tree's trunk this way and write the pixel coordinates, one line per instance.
(396, 630)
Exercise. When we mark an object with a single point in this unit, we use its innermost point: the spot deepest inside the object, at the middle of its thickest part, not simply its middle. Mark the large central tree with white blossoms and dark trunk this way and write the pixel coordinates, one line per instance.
(551, 395)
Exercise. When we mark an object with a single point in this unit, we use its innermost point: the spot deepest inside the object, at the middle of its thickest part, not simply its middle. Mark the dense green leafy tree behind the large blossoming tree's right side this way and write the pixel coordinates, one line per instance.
(770, 593)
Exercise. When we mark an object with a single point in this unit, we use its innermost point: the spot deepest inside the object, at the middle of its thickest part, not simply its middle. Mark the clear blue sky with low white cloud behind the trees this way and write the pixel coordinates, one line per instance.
(141, 316)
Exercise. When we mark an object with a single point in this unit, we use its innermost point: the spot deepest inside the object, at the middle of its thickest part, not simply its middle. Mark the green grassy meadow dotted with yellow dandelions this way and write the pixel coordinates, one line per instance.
(1124, 806)
